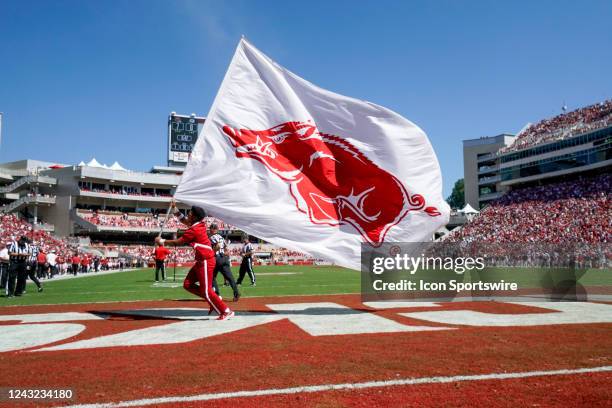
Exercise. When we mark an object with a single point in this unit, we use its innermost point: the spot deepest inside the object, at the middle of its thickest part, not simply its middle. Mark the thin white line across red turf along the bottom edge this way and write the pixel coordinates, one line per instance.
(345, 386)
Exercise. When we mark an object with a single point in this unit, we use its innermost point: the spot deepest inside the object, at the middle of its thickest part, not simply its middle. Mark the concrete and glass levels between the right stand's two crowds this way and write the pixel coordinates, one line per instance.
(492, 167)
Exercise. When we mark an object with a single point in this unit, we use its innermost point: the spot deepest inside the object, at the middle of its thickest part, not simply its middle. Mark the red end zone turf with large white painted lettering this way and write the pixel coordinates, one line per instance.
(287, 342)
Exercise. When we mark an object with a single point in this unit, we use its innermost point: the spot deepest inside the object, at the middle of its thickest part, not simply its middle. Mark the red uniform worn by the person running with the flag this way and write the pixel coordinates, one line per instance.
(199, 279)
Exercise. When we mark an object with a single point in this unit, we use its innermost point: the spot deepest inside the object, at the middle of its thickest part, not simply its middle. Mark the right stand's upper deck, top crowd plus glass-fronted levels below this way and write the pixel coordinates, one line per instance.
(565, 145)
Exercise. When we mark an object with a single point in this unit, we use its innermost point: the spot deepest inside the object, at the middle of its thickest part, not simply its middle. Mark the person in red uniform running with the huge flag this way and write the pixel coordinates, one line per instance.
(199, 279)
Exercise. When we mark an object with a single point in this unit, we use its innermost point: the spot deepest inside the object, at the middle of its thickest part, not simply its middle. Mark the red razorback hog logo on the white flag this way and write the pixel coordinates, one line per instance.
(330, 179)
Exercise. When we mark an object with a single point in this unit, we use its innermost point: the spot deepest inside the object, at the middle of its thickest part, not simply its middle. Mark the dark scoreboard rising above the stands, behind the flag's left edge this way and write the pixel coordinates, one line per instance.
(183, 133)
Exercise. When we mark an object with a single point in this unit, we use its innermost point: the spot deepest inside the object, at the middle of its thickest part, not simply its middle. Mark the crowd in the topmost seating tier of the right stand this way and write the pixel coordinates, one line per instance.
(563, 126)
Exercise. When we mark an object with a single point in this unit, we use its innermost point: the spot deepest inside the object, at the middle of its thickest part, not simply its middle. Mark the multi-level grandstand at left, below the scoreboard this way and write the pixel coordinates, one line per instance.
(107, 203)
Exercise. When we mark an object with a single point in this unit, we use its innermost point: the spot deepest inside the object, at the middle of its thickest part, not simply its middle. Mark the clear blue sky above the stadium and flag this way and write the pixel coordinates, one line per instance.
(80, 79)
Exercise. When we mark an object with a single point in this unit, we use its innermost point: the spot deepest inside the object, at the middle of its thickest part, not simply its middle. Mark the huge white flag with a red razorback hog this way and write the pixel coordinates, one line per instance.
(309, 169)
